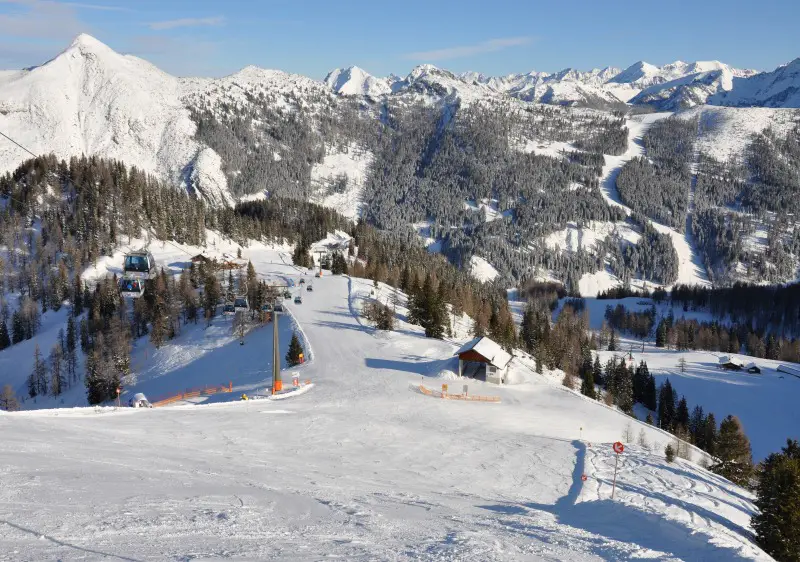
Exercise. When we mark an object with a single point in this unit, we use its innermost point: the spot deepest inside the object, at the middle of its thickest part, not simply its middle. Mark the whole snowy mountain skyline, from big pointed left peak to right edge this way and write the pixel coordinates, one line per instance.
(90, 99)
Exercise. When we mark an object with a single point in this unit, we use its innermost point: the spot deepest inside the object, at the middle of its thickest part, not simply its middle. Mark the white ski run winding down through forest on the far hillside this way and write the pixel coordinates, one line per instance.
(691, 270)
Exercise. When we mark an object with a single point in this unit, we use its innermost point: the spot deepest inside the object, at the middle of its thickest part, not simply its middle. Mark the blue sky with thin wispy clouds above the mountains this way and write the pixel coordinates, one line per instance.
(214, 38)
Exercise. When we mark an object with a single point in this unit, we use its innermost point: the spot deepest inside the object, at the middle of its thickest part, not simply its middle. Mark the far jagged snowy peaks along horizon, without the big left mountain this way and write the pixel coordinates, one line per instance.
(674, 86)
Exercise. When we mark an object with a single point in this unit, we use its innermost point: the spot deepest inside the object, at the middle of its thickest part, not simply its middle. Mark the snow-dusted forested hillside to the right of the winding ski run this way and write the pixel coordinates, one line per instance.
(746, 220)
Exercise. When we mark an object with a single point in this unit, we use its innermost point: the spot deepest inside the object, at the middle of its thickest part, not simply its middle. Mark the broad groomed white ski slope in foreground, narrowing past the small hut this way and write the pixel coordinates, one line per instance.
(361, 467)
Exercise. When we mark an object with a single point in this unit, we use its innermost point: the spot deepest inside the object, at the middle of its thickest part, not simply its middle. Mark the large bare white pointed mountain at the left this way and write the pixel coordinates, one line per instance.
(92, 100)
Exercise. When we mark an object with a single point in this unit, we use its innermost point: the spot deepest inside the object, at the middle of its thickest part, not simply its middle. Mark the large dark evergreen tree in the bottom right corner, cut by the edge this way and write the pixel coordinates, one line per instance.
(777, 522)
